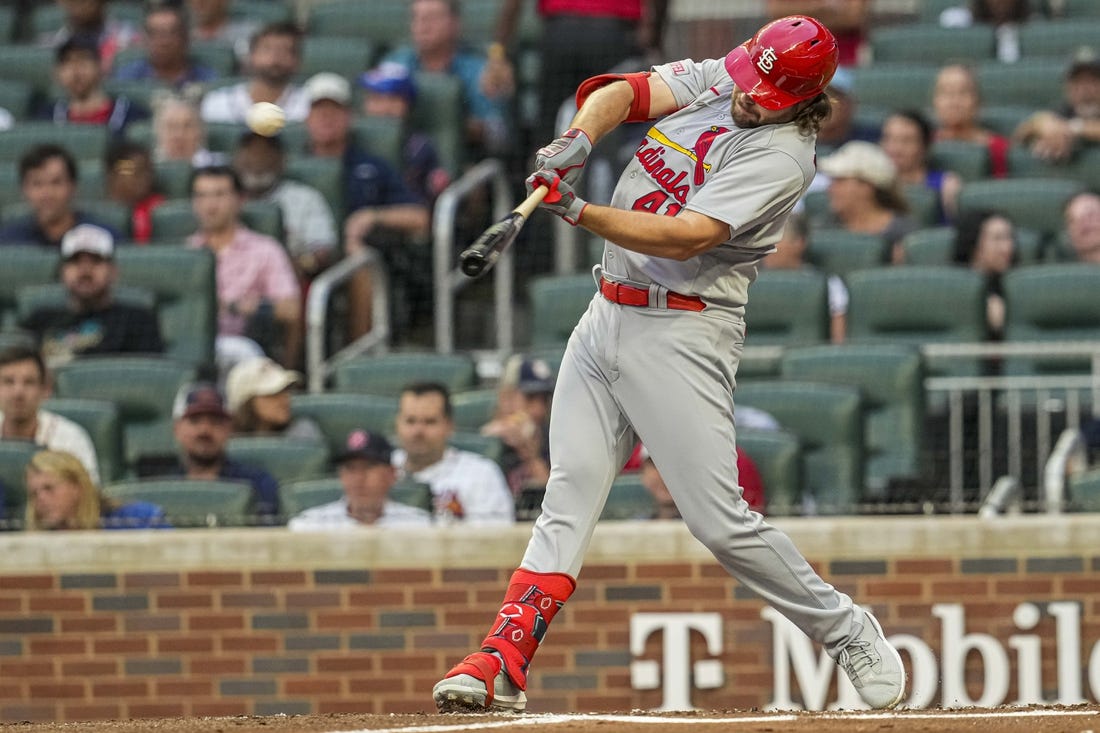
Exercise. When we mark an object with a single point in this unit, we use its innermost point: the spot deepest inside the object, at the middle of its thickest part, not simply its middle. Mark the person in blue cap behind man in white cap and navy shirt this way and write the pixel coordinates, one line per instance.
(391, 92)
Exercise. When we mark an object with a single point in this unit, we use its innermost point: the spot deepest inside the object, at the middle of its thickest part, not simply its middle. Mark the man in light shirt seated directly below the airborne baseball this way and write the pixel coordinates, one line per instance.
(307, 217)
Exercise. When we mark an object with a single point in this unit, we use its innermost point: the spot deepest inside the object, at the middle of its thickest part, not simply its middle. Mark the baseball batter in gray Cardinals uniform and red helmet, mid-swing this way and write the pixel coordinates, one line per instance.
(655, 356)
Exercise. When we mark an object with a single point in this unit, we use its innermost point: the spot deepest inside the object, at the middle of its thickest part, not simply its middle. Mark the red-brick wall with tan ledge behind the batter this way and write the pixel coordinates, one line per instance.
(97, 626)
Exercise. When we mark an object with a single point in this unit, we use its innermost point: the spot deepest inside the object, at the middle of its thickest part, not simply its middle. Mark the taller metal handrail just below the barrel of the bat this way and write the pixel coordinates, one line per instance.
(448, 279)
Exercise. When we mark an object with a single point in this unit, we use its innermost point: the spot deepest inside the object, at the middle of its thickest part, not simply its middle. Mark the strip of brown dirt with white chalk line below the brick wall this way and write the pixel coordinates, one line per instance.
(1079, 719)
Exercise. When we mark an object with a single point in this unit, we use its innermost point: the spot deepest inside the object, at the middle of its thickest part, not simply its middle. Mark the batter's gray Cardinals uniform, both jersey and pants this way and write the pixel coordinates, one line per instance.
(666, 376)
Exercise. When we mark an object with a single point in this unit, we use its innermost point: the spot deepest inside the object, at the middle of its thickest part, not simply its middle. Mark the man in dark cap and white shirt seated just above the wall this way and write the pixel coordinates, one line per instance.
(367, 476)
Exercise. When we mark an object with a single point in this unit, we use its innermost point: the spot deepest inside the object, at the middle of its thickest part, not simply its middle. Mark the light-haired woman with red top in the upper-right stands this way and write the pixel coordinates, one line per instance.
(956, 103)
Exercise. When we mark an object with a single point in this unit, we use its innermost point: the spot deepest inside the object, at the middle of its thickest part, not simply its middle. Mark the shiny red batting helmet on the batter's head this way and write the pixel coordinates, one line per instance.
(788, 61)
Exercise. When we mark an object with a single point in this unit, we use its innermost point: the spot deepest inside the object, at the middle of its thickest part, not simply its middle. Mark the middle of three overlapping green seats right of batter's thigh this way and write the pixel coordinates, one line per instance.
(828, 419)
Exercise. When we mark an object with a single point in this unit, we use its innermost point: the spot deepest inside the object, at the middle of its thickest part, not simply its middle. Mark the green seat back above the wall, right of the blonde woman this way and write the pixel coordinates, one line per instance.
(189, 502)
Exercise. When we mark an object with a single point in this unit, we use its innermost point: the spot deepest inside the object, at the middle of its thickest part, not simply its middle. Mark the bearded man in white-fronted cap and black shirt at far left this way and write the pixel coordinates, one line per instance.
(93, 322)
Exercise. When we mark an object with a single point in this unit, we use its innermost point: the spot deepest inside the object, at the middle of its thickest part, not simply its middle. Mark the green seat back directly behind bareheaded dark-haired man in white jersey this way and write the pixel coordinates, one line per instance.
(388, 375)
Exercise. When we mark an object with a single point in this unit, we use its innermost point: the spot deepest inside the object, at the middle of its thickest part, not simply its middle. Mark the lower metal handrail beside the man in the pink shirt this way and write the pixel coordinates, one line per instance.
(317, 307)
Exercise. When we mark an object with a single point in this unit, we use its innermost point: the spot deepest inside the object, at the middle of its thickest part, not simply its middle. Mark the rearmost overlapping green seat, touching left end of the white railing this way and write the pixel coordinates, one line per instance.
(890, 380)
